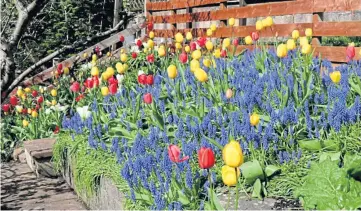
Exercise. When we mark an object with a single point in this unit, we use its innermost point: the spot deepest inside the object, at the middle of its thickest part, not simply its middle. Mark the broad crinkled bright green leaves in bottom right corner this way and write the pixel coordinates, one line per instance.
(329, 187)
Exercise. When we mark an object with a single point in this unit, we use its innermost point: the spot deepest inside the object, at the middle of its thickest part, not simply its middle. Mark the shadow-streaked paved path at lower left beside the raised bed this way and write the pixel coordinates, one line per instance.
(22, 190)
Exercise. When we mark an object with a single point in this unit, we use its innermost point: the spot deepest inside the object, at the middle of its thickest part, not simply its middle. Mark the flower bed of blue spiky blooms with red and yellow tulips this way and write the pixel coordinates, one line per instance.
(175, 126)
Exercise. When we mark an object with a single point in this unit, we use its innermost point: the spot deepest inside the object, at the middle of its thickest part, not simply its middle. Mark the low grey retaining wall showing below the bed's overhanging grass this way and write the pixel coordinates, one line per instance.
(106, 196)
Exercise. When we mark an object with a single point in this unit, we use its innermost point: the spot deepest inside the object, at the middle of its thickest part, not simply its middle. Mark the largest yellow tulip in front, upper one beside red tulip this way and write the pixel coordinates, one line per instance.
(232, 154)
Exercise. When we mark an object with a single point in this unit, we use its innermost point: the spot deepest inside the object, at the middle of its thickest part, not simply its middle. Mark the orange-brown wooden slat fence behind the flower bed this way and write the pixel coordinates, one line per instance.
(314, 7)
